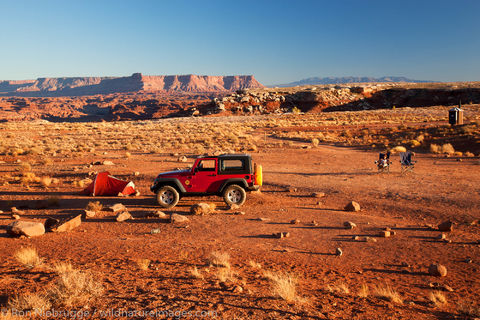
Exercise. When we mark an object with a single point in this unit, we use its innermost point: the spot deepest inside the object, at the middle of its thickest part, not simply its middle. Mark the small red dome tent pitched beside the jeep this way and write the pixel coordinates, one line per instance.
(106, 185)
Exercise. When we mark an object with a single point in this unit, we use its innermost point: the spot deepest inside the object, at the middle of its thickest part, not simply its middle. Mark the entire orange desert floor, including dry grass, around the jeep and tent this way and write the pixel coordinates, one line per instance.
(226, 264)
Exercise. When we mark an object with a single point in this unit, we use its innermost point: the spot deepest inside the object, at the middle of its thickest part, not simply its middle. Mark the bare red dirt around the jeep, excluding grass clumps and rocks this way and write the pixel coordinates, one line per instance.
(439, 189)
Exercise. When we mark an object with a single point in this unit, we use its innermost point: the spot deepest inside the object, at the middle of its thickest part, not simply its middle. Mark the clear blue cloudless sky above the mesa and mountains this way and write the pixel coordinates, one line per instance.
(277, 41)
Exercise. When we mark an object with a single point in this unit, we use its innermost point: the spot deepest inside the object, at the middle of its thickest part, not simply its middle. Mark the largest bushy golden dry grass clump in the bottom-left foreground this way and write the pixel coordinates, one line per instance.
(75, 288)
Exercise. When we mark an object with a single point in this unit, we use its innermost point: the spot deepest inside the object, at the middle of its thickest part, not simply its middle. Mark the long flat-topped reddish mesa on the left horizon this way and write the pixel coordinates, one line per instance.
(80, 86)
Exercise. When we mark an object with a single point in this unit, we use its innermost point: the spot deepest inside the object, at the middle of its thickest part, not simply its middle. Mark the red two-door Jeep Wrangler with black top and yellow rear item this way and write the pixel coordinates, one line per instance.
(228, 175)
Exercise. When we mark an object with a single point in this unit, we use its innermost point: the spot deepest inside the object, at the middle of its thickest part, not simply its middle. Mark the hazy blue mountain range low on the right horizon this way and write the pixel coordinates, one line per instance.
(337, 80)
